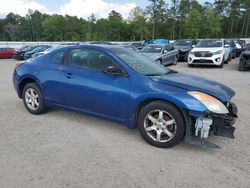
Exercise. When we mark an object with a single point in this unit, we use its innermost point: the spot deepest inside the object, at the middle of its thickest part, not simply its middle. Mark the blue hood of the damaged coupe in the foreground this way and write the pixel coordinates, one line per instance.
(196, 83)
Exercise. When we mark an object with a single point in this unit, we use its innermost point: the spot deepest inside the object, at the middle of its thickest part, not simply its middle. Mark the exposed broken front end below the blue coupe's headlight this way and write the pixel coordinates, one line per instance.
(200, 127)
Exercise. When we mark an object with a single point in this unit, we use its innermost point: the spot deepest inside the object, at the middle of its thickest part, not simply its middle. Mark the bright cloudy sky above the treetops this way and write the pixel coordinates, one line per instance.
(80, 8)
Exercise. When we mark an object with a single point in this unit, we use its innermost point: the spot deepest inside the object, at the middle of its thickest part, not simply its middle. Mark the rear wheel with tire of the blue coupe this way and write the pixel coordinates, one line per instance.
(32, 99)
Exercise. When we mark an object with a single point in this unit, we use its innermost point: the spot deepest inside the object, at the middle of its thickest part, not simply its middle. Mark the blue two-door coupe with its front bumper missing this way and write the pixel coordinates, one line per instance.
(122, 85)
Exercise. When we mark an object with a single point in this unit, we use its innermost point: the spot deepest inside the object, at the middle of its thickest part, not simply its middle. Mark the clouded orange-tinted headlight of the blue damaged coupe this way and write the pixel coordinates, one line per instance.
(210, 102)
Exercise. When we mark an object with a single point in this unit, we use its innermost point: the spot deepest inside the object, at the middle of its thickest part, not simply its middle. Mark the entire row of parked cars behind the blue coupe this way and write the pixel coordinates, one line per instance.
(196, 52)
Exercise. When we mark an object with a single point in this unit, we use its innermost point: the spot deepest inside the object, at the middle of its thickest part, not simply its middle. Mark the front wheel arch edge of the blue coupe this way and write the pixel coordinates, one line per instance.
(145, 102)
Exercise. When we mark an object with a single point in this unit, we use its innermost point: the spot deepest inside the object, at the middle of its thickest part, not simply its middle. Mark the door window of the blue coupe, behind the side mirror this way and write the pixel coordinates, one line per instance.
(91, 59)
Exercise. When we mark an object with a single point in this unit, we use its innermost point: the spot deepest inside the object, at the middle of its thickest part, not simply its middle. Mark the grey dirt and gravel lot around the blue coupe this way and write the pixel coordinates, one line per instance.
(67, 149)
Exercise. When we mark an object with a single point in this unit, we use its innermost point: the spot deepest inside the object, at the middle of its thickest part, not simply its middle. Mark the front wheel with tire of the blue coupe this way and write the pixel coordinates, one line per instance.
(161, 124)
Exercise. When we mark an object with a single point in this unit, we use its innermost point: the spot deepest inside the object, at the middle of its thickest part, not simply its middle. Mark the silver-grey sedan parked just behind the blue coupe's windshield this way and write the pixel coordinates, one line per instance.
(164, 54)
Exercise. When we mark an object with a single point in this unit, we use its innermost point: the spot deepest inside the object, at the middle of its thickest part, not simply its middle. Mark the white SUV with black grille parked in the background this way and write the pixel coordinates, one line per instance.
(209, 52)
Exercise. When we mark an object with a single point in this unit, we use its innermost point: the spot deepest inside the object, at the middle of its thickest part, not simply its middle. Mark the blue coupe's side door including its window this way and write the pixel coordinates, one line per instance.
(89, 89)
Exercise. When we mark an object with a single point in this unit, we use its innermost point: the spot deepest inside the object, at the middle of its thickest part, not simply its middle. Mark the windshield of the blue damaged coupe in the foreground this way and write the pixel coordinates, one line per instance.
(139, 63)
